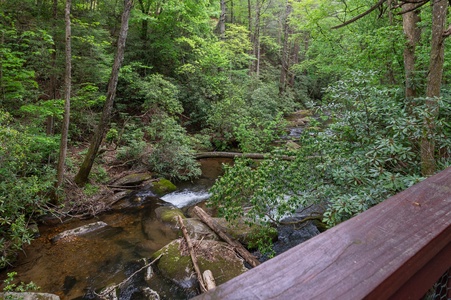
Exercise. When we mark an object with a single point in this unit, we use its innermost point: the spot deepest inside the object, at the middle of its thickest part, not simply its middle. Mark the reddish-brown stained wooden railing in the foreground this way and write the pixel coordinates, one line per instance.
(395, 250)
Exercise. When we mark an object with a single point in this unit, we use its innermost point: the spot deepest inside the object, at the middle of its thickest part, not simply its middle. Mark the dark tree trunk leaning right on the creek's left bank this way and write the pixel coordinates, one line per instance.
(82, 176)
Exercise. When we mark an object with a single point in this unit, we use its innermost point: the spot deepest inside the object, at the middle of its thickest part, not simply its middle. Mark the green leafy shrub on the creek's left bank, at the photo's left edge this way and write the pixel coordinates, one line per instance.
(24, 184)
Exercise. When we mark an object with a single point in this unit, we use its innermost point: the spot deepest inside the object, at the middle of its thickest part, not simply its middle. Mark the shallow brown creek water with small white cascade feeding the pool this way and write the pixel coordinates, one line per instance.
(75, 267)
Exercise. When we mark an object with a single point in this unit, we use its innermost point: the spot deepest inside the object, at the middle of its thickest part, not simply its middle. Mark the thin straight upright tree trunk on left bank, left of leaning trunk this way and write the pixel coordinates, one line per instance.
(67, 84)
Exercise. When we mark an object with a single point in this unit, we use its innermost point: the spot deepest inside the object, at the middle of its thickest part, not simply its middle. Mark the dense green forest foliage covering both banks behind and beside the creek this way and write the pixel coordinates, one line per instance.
(189, 84)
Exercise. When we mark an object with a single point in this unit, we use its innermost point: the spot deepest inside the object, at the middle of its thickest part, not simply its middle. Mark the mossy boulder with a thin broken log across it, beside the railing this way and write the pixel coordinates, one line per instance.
(218, 257)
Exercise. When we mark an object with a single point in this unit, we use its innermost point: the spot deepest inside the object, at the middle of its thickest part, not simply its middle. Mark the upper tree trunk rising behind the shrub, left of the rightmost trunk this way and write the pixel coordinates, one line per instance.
(410, 21)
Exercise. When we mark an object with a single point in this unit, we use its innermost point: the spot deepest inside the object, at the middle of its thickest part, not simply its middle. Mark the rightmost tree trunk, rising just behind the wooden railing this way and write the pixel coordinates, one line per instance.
(434, 82)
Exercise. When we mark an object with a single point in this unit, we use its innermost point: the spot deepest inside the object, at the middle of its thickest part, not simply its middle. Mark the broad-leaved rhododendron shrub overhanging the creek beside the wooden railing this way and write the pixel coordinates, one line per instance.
(367, 153)
